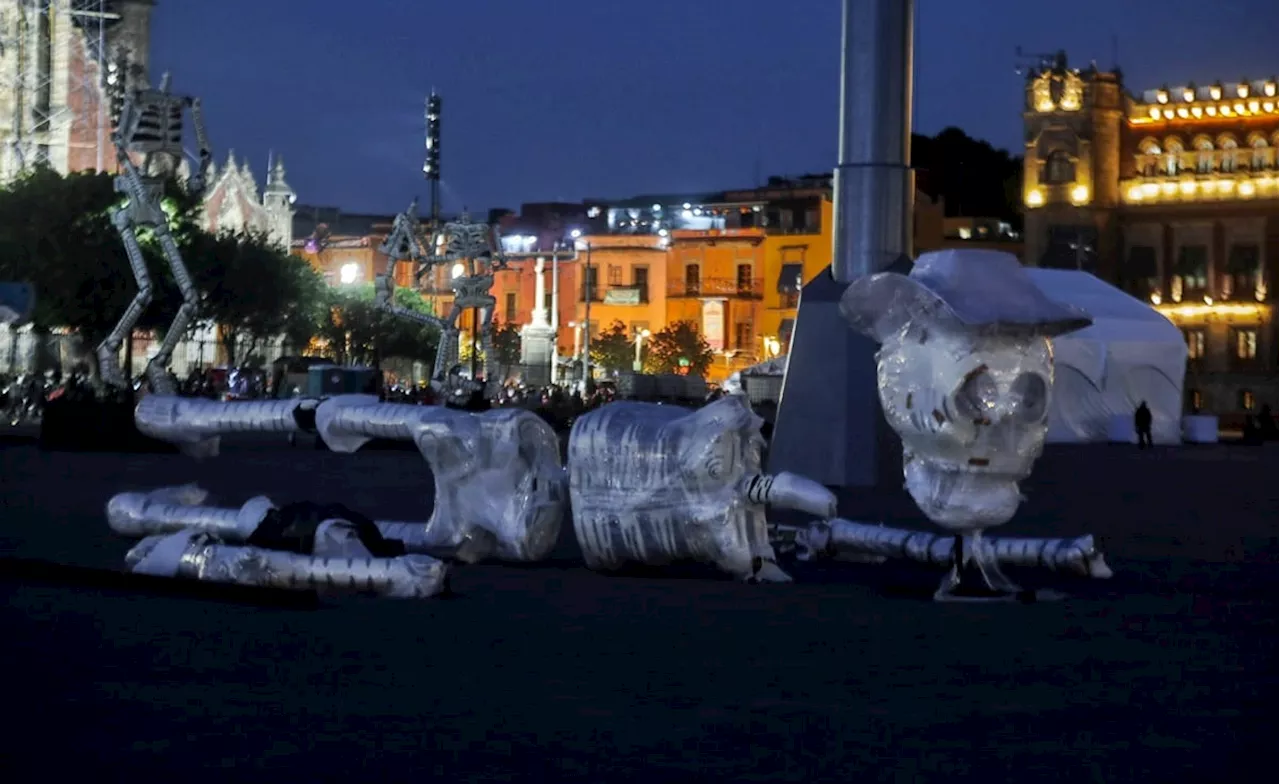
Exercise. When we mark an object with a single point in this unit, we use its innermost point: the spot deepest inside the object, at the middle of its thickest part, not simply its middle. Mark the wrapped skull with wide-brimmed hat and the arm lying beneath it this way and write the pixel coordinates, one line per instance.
(966, 371)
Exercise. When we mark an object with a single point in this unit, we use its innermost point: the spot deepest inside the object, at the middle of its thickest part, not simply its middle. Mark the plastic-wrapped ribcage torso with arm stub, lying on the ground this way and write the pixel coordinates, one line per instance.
(653, 485)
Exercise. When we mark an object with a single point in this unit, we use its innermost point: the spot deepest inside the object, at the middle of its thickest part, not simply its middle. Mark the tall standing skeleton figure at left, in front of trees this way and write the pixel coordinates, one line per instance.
(152, 127)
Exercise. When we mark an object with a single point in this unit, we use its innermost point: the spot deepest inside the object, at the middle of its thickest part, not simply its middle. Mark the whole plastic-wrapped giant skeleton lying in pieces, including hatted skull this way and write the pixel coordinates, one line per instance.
(964, 380)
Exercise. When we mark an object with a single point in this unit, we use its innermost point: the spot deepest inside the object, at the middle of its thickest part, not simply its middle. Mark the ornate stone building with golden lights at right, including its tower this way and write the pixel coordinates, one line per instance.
(1174, 197)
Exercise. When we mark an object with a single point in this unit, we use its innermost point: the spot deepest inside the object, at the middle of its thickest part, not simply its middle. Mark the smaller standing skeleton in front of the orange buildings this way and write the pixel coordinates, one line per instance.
(473, 245)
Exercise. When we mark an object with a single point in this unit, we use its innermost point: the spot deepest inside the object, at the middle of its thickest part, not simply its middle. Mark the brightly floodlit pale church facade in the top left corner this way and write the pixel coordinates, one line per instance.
(54, 66)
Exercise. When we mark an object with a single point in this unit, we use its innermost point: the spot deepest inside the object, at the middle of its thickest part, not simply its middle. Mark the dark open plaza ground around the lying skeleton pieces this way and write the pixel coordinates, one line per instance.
(1168, 673)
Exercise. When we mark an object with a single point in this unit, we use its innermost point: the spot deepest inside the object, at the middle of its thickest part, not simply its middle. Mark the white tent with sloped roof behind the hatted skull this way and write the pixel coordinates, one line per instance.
(1131, 354)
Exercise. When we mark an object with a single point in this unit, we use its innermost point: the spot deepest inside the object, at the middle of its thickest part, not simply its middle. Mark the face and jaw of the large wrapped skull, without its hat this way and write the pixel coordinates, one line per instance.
(972, 412)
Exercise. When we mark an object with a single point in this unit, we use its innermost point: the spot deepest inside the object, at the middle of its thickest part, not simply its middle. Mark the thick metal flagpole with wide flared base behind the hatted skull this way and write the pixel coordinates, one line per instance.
(830, 425)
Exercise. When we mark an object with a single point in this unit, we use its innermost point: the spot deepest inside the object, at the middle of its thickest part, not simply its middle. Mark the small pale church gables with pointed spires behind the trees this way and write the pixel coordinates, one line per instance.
(234, 204)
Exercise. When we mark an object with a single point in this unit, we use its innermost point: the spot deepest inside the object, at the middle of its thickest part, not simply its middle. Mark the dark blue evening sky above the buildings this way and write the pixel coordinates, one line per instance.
(570, 99)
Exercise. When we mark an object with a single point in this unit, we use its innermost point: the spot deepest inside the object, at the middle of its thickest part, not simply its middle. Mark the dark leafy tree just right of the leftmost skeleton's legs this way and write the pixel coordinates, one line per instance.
(255, 291)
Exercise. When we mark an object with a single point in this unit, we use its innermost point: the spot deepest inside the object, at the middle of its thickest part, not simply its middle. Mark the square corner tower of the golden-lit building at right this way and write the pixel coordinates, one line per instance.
(1072, 166)
